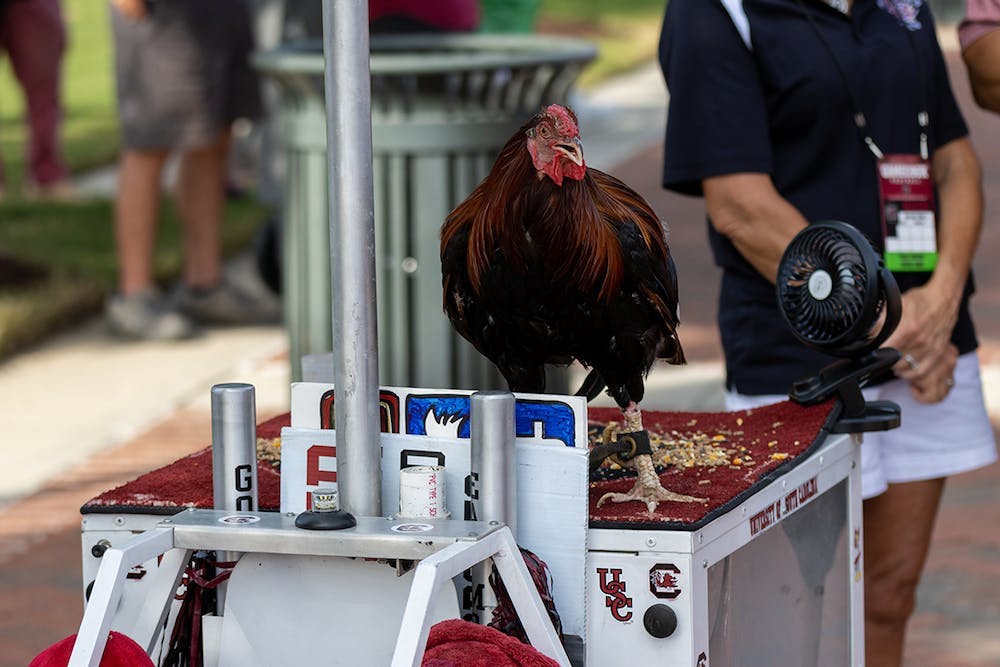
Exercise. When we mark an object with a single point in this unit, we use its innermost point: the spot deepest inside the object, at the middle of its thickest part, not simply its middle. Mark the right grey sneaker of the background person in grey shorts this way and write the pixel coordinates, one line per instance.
(225, 304)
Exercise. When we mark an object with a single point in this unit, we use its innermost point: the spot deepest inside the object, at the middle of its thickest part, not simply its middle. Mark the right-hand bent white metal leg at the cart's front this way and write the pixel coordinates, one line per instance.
(451, 561)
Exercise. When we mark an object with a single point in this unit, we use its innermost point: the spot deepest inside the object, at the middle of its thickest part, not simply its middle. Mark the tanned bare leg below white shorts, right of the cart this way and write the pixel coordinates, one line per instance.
(897, 532)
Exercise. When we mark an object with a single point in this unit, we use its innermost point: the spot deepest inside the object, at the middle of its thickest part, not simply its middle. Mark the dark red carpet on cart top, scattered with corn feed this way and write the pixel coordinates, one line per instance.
(722, 457)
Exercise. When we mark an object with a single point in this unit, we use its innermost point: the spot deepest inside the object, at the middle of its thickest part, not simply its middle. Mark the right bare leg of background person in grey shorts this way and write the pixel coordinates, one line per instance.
(200, 200)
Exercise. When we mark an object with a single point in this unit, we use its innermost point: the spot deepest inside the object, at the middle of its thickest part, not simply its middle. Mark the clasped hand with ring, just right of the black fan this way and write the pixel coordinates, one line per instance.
(923, 337)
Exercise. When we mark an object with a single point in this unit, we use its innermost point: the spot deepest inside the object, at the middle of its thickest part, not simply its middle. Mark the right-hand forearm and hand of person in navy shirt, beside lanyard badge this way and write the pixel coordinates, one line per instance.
(931, 310)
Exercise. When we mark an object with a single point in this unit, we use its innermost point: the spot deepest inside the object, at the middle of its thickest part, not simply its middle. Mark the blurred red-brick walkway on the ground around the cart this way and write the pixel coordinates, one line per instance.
(958, 614)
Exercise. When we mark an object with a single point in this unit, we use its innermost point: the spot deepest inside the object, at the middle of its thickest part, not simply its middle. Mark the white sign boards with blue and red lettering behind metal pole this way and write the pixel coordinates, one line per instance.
(431, 427)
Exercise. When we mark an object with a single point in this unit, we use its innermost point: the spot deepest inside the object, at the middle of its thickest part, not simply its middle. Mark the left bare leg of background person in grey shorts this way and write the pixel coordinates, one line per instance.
(137, 204)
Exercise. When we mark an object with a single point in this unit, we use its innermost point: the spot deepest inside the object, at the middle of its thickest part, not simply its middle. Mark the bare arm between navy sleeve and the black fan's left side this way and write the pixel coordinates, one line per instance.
(748, 210)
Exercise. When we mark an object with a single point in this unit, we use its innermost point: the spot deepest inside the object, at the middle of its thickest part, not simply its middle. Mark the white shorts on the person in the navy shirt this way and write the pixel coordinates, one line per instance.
(934, 440)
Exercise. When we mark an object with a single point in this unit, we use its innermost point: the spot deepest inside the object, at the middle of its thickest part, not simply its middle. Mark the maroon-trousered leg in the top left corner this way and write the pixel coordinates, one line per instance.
(36, 40)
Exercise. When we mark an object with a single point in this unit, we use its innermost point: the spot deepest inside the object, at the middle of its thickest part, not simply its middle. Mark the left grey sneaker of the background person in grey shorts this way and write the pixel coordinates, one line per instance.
(146, 315)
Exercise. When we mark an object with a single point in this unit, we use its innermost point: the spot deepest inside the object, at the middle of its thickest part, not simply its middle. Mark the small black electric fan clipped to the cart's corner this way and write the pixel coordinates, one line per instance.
(837, 296)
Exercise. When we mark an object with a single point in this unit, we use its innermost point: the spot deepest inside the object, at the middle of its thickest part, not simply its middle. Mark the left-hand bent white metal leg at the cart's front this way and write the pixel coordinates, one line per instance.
(107, 591)
